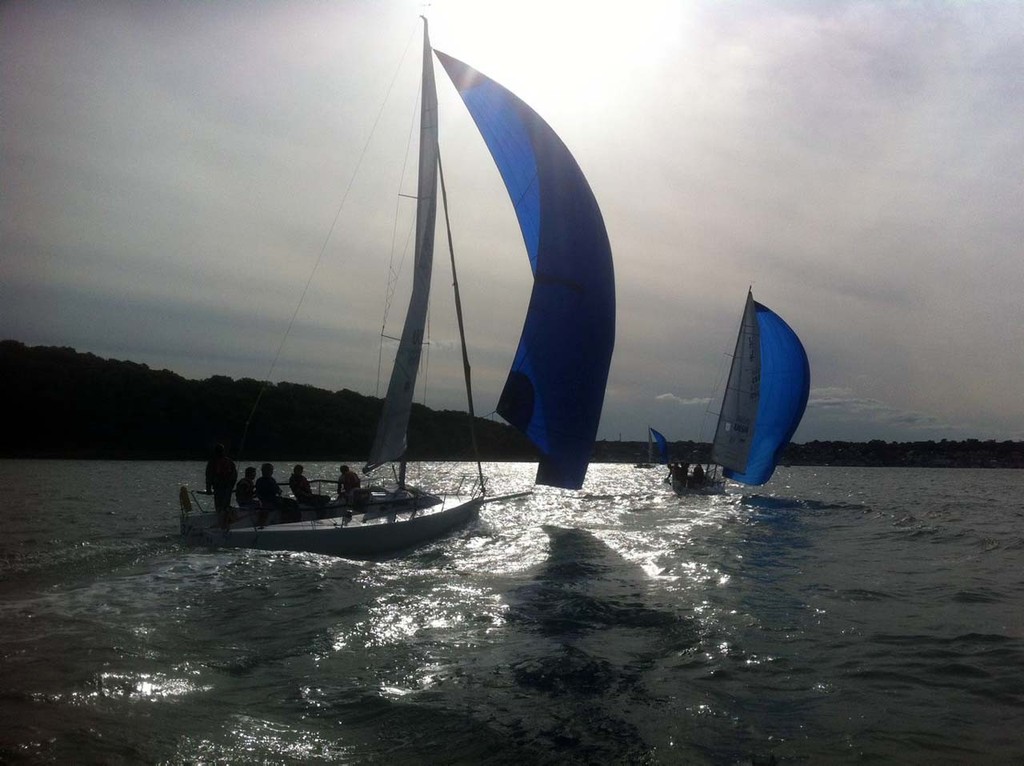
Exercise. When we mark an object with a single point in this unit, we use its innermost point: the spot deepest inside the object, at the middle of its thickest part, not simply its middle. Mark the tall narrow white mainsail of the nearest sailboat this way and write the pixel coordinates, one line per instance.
(390, 444)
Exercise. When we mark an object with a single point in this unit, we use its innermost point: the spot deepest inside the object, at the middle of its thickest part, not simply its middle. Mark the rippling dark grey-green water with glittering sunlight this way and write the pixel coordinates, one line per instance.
(834, 616)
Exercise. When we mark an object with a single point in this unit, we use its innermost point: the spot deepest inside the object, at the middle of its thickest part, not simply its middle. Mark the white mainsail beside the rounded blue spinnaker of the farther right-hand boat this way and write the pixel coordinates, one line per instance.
(740, 405)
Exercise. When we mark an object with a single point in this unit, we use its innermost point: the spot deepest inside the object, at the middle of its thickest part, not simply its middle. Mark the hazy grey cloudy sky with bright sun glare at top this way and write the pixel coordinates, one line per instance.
(218, 189)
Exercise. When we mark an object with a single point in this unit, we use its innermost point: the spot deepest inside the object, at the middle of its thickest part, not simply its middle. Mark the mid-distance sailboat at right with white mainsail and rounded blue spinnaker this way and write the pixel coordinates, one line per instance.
(764, 402)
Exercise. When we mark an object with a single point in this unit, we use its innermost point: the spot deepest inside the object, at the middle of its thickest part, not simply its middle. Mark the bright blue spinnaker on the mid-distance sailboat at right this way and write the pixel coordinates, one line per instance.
(785, 385)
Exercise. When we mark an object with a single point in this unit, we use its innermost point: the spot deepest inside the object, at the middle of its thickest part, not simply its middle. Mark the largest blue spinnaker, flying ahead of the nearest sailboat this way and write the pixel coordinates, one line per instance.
(556, 389)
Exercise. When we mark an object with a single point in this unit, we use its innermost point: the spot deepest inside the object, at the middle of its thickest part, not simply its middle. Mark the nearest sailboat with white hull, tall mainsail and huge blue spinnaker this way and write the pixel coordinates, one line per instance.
(556, 389)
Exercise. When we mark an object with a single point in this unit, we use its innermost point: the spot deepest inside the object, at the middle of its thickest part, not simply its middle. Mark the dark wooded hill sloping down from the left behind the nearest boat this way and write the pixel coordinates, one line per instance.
(63, 404)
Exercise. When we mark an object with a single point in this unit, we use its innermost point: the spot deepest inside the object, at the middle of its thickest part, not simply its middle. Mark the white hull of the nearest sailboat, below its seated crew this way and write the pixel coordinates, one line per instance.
(363, 536)
